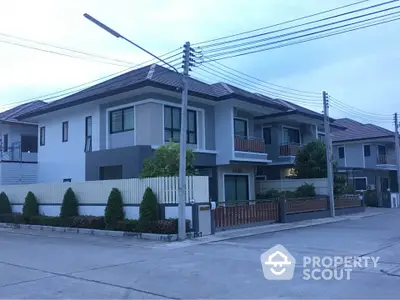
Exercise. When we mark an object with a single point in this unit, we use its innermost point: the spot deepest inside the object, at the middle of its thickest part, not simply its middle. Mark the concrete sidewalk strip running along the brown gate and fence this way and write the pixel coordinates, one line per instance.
(256, 230)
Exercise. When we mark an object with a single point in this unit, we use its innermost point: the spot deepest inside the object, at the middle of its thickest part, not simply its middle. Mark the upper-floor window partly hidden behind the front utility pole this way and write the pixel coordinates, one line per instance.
(173, 130)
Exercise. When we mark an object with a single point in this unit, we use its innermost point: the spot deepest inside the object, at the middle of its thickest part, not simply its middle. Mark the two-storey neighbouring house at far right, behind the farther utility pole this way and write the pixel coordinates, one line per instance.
(366, 152)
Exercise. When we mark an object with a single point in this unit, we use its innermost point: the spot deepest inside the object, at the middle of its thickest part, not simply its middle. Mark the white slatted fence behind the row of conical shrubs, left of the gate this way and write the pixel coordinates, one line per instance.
(97, 192)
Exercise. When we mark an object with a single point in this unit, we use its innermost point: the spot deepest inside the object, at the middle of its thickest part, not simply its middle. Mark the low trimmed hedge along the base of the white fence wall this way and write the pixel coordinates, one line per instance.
(169, 226)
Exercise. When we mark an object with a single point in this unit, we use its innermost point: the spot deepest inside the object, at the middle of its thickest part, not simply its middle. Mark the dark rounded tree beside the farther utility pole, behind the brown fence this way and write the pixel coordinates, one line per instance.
(311, 161)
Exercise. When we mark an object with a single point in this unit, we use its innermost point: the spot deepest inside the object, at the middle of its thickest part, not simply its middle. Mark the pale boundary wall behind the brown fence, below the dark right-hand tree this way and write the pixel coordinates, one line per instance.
(320, 184)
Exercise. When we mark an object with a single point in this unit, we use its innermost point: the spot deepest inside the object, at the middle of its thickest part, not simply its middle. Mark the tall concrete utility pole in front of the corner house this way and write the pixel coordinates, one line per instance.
(182, 143)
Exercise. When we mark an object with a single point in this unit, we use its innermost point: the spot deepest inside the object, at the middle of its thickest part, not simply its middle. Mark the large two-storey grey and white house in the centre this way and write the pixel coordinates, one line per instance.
(106, 131)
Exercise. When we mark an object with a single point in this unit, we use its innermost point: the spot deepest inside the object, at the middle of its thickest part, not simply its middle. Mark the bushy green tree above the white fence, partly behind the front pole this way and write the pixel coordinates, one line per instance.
(165, 162)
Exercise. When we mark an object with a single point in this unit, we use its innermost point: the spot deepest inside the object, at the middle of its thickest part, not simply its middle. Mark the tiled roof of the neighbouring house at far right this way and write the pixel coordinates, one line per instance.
(358, 131)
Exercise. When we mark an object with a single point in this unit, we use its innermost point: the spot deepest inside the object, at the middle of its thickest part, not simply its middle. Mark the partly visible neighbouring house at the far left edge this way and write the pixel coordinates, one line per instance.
(18, 146)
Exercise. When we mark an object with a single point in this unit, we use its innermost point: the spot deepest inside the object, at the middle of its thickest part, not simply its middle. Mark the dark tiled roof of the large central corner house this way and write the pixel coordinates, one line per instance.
(157, 76)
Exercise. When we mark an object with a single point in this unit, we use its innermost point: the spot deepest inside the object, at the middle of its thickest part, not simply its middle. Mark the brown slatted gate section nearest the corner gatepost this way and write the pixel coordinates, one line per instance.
(230, 215)
